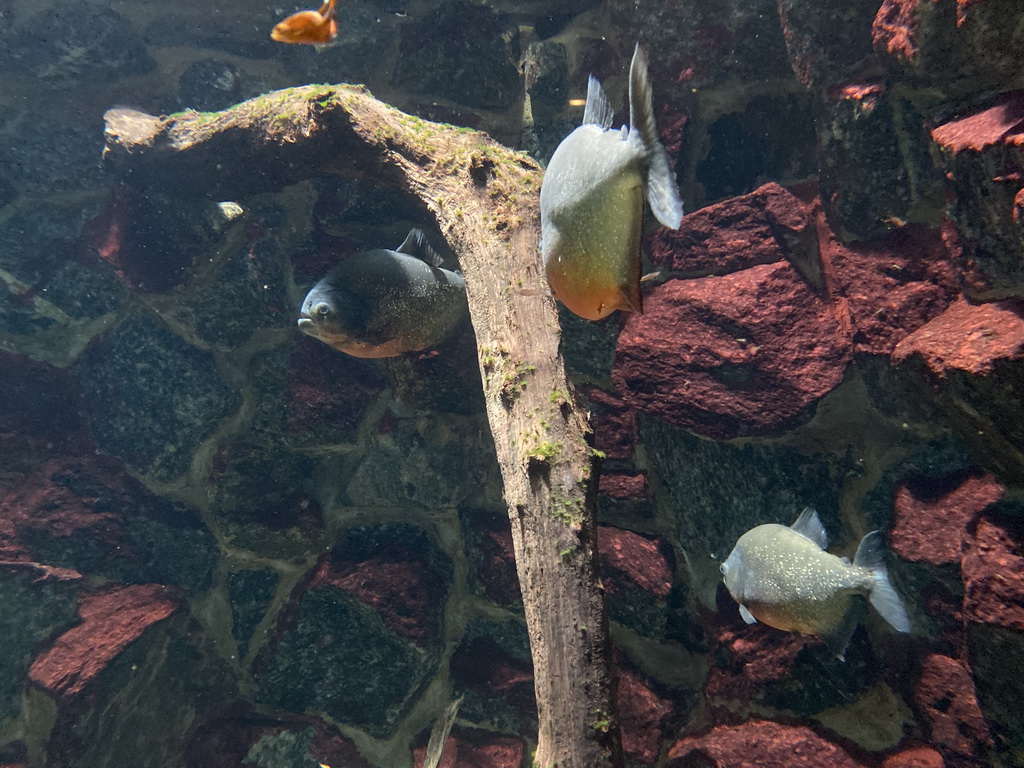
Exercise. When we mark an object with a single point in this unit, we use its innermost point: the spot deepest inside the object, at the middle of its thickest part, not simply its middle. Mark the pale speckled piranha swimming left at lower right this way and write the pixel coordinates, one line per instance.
(784, 578)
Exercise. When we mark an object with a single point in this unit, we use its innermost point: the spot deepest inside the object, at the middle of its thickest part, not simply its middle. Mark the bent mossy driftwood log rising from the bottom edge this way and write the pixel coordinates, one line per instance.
(486, 200)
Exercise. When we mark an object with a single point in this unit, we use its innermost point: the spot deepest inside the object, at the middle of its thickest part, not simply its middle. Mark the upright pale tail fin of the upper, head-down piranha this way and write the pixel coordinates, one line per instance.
(663, 194)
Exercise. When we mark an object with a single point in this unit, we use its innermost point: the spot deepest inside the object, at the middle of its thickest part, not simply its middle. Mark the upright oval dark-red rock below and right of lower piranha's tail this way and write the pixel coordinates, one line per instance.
(947, 700)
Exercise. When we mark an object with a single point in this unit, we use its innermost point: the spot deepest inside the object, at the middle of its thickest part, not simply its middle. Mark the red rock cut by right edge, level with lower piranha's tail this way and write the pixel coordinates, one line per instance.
(994, 574)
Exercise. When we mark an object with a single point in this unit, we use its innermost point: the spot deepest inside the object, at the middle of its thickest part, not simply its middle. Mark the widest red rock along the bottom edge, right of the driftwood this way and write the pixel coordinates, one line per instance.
(762, 744)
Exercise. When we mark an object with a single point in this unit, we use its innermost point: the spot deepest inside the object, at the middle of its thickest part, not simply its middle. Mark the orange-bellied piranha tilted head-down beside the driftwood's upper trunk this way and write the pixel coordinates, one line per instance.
(592, 202)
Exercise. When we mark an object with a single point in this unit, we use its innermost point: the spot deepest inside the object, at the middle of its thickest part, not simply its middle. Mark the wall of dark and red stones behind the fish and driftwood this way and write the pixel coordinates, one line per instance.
(225, 544)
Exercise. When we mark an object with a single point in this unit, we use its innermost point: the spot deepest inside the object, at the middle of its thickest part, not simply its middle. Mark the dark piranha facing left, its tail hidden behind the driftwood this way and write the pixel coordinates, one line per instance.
(382, 304)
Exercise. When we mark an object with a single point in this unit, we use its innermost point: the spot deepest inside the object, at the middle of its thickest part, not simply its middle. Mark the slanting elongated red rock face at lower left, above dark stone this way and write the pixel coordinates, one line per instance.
(111, 621)
